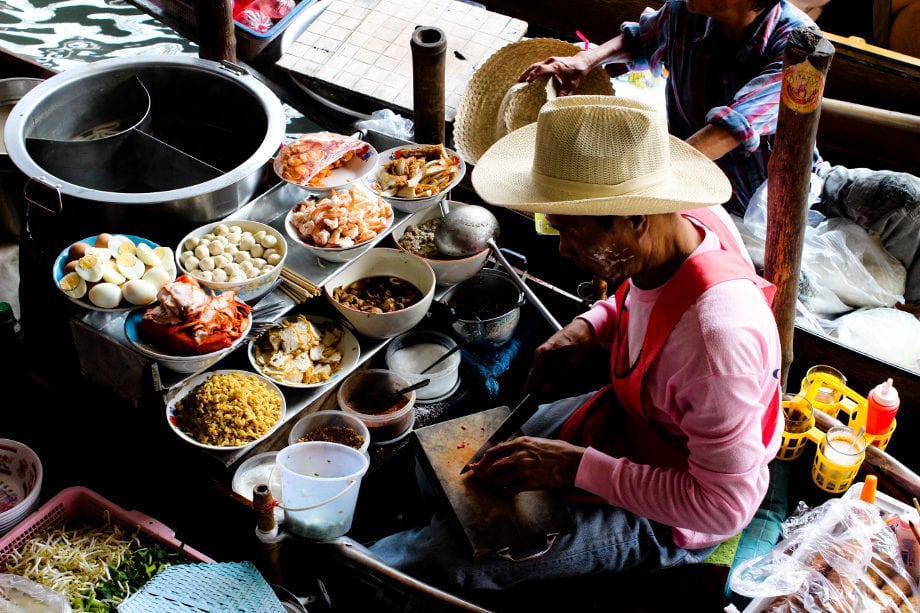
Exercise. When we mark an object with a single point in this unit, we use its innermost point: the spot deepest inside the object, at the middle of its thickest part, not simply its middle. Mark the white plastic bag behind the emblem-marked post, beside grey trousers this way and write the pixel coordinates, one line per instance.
(843, 268)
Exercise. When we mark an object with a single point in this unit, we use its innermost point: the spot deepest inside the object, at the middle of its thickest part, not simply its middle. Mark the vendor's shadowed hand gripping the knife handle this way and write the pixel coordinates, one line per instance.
(559, 358)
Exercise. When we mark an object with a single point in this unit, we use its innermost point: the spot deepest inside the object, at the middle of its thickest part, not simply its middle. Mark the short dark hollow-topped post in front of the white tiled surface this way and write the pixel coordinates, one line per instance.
(428, 59)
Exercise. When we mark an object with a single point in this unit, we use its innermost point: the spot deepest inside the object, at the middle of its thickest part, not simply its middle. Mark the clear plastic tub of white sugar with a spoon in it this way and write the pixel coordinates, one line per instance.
(410, 353)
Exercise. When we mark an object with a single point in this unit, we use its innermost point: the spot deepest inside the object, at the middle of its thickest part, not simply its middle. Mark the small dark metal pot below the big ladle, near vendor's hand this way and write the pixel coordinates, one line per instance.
(485, 309)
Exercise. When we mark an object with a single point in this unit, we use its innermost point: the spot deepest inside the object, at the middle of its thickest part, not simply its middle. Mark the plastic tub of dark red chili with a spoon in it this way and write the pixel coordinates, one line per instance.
(387, 426)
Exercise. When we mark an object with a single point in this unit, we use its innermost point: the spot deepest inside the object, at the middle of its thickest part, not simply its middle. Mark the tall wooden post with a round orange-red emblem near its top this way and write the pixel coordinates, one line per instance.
(806, 61)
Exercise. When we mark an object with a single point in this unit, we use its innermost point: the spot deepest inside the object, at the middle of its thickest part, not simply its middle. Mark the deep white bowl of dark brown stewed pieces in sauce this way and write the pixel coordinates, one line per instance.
(383, 293)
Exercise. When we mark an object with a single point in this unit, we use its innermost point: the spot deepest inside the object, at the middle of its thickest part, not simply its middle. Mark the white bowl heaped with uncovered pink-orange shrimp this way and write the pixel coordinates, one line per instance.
(340, 226)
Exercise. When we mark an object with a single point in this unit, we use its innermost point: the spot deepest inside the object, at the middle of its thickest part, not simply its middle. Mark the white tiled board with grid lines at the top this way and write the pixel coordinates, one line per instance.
(362, 47)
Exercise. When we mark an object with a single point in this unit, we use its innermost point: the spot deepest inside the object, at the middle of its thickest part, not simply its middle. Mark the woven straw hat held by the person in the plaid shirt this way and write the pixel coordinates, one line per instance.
(494, 103)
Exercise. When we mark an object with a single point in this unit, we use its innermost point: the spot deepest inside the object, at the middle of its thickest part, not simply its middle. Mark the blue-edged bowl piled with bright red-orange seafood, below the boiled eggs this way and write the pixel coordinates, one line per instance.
(190, 328)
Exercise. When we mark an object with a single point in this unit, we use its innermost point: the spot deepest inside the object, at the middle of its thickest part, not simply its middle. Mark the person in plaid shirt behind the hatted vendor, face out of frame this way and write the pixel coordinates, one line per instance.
(724, 60)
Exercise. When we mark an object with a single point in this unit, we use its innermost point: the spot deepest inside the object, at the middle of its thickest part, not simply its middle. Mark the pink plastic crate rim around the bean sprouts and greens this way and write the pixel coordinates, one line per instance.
(79, 504)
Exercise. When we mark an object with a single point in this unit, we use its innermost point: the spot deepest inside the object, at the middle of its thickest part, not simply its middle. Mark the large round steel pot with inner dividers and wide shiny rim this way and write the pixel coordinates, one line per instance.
(140, 145)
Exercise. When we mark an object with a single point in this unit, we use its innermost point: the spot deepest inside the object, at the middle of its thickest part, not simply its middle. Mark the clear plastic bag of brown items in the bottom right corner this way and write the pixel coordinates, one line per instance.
(839, 556)
